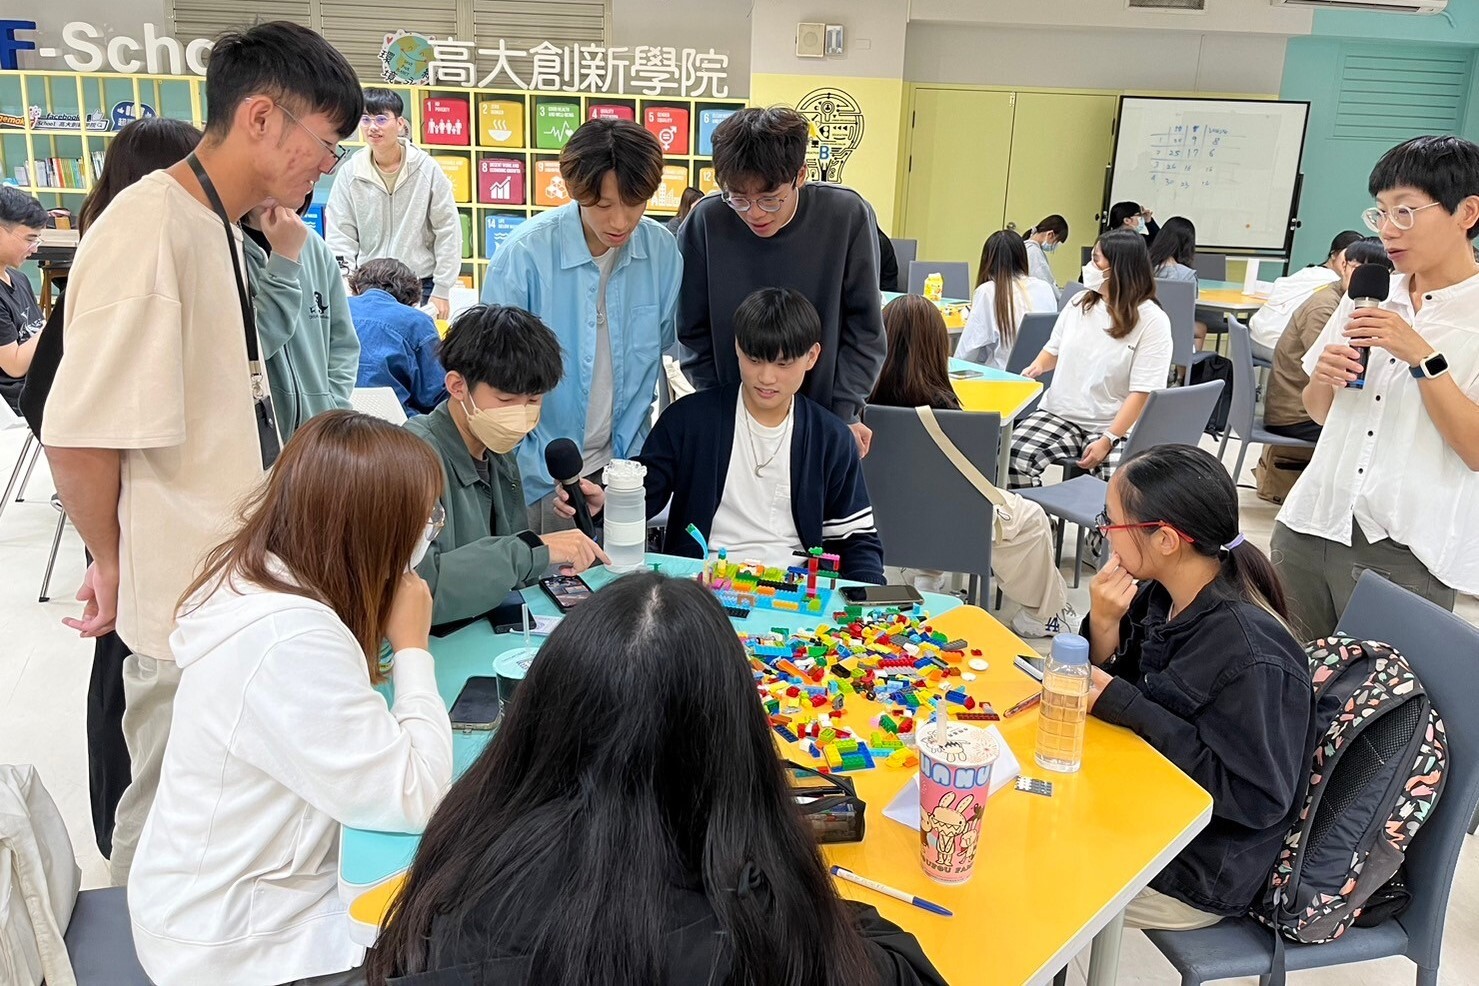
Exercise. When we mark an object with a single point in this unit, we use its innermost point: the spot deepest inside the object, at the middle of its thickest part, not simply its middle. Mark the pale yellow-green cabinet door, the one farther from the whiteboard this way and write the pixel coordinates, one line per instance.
(958, 180)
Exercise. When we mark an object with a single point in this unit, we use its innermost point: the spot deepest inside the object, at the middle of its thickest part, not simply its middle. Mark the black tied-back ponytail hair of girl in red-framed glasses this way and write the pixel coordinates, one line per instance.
(1190, 492)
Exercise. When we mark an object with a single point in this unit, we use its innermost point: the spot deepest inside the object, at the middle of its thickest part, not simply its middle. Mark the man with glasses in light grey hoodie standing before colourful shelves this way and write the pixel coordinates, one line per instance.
(393, 200)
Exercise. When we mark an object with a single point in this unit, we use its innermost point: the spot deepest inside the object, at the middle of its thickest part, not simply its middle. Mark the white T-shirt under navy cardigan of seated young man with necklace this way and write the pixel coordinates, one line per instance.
(755, 520)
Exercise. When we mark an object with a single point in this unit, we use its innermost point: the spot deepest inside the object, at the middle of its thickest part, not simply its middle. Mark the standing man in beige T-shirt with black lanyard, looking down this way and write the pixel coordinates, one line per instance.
(152, 426)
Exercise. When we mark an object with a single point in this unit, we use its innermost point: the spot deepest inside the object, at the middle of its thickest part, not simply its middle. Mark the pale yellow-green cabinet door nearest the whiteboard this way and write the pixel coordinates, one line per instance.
(1061, 149)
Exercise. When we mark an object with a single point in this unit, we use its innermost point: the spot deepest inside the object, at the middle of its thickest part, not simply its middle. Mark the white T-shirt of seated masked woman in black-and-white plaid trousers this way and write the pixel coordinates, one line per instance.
(1097, 373)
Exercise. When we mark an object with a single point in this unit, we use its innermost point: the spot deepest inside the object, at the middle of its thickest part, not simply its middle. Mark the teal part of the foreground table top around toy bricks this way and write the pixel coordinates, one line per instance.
(368, 858)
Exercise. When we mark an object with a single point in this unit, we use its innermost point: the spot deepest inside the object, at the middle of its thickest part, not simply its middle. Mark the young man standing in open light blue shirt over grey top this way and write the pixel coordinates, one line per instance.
(606, 280)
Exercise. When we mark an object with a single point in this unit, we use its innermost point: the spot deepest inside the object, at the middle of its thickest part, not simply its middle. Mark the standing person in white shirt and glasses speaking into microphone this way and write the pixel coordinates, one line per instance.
(1394, 483)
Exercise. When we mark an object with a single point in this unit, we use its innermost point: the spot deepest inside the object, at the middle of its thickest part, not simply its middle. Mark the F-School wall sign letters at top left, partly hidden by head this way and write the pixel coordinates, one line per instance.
(87, 50)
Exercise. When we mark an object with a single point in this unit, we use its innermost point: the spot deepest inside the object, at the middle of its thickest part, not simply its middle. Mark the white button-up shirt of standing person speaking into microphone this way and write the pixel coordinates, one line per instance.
(1381, 459)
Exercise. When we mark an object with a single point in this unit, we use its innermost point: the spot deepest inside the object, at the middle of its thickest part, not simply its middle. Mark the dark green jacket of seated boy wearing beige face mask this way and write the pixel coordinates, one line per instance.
(486, 551)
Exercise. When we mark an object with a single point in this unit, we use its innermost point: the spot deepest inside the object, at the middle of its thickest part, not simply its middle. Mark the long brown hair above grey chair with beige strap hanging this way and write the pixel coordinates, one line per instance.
(916, 370)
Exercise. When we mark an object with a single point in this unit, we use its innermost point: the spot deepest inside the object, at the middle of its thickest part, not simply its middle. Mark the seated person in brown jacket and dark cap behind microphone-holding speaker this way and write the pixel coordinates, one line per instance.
(1285, 410)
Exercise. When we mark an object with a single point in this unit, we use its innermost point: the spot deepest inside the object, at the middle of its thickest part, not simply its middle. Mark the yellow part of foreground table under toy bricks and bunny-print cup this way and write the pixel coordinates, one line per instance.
(1052, 874)
